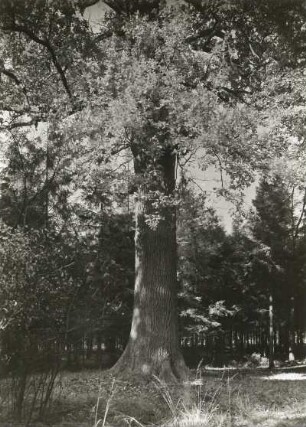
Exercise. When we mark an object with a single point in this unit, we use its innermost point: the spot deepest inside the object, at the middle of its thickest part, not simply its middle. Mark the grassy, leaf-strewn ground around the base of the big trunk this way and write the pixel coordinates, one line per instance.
(216, 398)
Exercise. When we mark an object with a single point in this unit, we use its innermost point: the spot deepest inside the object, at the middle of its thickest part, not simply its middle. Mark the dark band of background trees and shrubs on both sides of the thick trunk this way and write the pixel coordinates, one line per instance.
(76, 300)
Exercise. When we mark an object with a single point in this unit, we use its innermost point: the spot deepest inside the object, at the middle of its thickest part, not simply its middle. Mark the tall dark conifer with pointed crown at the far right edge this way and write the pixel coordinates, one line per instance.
(276, 224)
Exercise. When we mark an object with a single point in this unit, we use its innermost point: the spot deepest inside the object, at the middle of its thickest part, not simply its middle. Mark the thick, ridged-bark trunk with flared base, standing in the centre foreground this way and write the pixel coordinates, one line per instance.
(153, 347)
